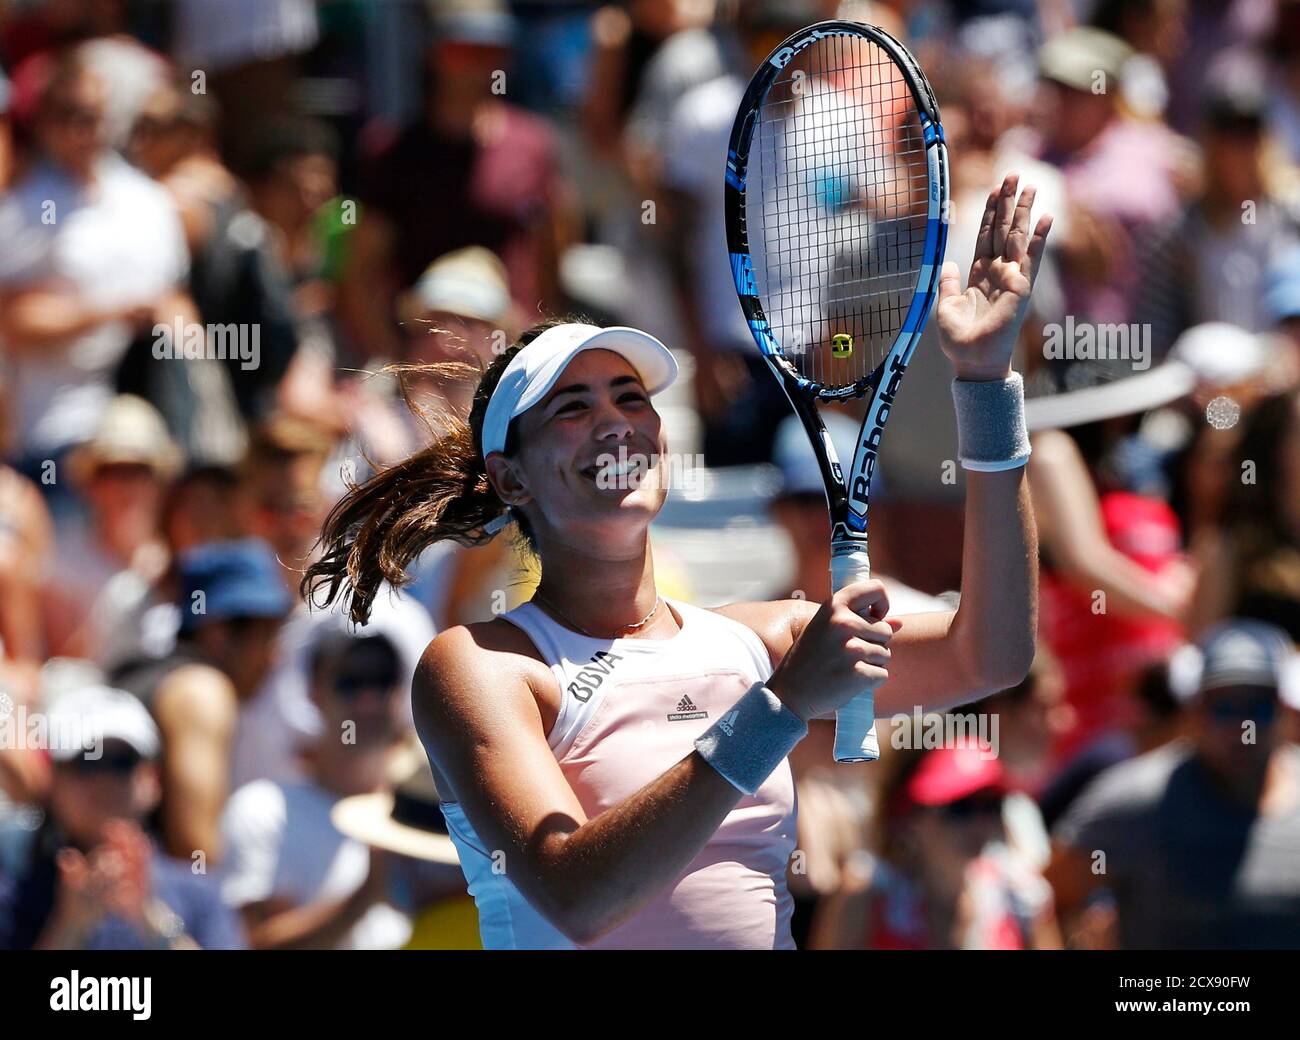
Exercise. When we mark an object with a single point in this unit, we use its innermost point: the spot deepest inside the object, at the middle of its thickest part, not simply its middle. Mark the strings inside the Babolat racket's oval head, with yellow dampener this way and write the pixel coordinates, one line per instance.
(838, 209)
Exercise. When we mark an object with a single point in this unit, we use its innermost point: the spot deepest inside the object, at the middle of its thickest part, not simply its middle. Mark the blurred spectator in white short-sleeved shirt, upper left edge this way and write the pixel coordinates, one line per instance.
(76, 291)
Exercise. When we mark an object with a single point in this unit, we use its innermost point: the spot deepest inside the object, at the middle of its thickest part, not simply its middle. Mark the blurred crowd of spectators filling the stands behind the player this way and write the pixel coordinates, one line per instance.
(224, 223)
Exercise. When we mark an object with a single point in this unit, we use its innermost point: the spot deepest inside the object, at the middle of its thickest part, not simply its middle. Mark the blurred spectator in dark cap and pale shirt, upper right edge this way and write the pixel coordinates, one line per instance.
(1211, 261)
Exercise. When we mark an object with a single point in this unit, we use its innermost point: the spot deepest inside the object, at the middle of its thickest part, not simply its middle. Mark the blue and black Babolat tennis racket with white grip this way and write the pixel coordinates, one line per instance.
(837, 222)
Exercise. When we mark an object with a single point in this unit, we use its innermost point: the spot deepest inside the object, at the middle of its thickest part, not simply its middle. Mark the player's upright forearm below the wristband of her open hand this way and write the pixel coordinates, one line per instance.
(996, 623)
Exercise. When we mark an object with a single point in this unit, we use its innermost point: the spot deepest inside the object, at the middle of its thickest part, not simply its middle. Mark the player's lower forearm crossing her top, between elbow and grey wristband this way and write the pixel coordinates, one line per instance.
(612, 866)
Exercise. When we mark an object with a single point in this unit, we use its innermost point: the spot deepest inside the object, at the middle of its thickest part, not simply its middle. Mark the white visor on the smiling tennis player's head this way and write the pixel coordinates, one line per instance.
(534, 371)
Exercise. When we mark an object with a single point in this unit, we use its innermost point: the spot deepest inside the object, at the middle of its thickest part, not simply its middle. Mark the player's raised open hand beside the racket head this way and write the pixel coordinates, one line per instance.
(978, 328)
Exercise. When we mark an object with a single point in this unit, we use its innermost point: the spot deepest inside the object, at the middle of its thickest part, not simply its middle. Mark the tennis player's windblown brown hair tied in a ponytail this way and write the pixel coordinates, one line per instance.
(443, 492)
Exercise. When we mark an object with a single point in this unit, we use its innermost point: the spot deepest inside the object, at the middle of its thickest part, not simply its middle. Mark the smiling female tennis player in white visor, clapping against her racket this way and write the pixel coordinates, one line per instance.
(613, 764)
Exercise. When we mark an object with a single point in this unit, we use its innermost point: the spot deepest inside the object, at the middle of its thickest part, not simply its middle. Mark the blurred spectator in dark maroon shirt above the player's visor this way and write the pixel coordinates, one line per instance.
(473, 170)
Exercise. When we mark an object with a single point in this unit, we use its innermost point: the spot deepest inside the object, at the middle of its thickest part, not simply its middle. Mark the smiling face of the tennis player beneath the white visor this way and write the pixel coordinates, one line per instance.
(567, 476)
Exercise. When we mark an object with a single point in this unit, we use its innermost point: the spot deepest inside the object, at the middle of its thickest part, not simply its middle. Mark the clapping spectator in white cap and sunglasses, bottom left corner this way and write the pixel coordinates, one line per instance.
(90, 878)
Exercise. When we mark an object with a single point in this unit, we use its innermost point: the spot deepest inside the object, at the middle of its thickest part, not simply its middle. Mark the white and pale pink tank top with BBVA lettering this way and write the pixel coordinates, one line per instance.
(630, 710)
